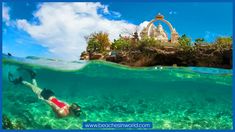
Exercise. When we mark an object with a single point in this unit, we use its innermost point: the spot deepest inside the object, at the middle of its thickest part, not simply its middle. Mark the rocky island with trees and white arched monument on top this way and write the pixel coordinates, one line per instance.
(152, 47)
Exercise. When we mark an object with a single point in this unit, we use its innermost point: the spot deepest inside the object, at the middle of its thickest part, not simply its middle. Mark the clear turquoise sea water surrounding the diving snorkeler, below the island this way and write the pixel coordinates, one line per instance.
(169, 97)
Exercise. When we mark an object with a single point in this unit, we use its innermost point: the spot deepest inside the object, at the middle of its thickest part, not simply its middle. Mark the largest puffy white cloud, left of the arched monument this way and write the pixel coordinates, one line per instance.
(62, 26)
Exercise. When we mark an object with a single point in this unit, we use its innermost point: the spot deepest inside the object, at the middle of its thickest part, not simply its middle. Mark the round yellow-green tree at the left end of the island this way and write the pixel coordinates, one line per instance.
(98, 42)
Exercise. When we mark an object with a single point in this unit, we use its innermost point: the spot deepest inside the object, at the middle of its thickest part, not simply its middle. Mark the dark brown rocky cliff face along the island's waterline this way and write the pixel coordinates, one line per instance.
(205, 56)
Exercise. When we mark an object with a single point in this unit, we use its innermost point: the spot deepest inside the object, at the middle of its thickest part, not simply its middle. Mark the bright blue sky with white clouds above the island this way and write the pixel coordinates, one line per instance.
(58, 30)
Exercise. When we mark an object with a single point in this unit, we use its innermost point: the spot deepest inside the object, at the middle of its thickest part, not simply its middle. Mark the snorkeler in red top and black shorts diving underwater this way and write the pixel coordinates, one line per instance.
(62, 109)
